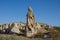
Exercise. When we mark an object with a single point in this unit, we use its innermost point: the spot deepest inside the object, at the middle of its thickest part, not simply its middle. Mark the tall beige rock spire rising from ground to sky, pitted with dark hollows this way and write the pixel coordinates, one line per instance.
(31, 24)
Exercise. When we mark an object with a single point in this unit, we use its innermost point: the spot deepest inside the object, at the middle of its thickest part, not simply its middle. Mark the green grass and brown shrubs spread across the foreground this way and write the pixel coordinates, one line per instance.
(55, 35)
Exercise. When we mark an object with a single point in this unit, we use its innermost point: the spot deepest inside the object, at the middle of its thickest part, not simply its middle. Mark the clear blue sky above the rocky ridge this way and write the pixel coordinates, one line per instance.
(46, 11)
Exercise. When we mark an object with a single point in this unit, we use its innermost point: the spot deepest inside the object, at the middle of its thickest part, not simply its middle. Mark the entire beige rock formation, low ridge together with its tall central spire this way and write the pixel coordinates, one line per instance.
(29, 29)
